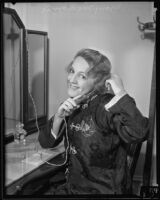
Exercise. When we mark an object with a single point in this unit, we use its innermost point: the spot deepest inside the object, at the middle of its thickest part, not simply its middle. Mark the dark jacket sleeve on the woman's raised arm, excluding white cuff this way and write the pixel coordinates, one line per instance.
(124, 118)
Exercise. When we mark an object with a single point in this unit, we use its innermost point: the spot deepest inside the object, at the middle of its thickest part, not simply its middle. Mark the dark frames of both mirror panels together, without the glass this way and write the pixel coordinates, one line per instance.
(29, 125)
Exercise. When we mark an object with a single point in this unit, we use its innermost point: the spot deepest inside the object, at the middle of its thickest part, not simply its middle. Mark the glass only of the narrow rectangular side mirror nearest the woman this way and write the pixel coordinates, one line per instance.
(36, 74)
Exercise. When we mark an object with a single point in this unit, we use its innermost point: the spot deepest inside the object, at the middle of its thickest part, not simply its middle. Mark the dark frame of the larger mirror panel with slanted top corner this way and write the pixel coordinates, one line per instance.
(23, 66)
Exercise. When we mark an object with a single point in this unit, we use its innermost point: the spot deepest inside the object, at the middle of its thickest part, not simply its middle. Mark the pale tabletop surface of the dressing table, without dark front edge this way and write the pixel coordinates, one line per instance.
(21, 159)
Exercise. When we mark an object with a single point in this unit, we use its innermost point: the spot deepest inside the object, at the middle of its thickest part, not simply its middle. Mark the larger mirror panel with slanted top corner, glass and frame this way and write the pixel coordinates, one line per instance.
(13, 43)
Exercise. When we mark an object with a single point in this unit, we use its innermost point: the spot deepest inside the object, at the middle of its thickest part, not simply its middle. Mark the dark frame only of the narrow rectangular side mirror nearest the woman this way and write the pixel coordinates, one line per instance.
(30, 124)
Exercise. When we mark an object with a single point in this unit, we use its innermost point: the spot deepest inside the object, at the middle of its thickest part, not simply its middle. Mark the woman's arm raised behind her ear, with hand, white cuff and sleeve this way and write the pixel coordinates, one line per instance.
(121, 114)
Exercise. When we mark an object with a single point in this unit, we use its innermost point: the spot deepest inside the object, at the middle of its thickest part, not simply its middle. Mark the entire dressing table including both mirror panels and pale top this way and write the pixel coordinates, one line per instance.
(25, 100)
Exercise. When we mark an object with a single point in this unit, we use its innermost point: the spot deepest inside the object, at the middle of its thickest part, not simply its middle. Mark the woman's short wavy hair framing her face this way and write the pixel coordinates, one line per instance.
(100, 67)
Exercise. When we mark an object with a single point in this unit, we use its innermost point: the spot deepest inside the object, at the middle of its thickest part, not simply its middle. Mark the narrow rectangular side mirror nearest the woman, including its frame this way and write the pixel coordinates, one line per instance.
(36, 103)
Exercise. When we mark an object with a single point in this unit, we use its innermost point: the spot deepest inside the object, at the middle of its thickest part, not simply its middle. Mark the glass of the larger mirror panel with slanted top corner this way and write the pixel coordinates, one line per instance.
(11, 73)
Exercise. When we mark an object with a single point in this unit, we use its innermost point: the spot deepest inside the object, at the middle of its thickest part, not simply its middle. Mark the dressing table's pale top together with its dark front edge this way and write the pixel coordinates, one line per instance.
(24, 161)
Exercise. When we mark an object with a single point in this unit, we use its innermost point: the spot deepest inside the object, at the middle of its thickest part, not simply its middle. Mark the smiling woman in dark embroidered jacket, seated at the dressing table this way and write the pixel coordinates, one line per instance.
(101, 121)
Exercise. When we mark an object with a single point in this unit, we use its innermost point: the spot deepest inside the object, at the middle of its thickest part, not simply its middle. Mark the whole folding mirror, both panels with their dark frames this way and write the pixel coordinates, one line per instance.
(25, 72)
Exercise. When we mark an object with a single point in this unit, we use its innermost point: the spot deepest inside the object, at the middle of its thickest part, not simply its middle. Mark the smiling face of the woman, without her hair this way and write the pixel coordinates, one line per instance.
(78, 81)
